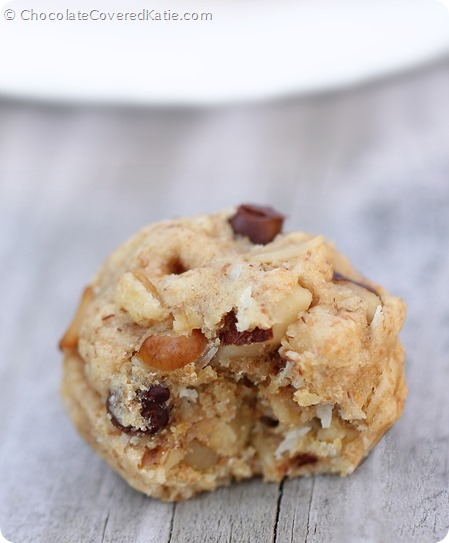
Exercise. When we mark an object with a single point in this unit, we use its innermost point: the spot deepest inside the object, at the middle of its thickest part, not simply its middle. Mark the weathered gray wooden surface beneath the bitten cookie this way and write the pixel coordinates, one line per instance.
(368, 167)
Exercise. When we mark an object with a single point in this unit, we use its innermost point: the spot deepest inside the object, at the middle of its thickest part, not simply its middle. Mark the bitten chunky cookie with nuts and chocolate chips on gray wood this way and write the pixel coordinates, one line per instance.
(217, 348)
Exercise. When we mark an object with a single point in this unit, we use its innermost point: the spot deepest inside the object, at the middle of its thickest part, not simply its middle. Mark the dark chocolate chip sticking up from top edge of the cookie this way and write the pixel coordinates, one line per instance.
(260, 224)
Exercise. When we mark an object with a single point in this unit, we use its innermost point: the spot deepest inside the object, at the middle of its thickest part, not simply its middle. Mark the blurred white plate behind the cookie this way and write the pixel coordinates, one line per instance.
(252, 49)
